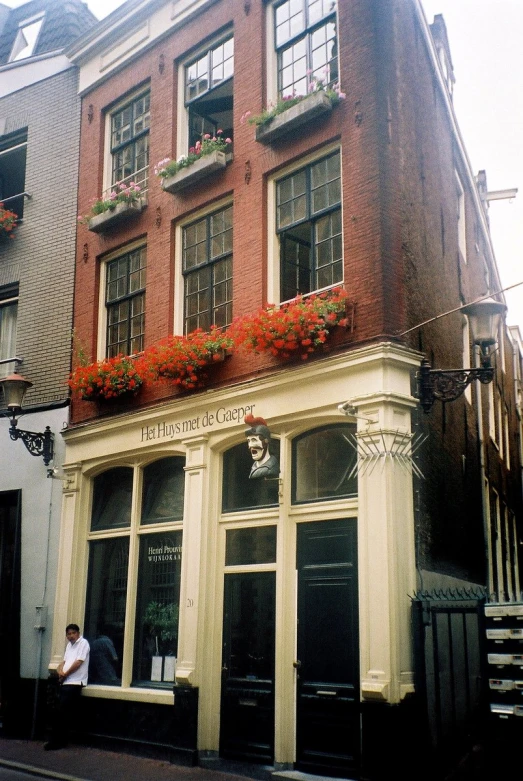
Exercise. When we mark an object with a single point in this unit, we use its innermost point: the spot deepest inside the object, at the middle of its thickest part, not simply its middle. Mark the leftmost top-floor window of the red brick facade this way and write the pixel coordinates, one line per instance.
(130, 141)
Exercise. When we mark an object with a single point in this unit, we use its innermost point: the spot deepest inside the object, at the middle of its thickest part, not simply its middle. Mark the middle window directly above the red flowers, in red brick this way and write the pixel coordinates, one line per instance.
(207, 270)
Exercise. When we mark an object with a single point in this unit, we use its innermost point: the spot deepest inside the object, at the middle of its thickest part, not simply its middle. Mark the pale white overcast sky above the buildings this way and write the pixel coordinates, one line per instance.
(485, 42)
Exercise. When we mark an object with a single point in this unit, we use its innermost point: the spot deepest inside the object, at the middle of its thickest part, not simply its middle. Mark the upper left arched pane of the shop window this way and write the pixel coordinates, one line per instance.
(112, 494)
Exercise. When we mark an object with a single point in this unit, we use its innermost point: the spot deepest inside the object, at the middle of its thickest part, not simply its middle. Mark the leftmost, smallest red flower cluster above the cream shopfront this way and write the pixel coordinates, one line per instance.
(107, 380)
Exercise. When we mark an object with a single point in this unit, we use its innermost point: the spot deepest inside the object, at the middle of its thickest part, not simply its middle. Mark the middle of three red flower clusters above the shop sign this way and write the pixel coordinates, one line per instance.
(185, 360)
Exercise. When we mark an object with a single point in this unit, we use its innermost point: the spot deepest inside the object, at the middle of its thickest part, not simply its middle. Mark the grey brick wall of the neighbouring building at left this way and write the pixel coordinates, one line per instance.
(41, 257)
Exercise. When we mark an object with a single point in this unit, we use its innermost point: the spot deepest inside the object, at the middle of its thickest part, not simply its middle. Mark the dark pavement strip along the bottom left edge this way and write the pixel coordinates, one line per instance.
(83, 763)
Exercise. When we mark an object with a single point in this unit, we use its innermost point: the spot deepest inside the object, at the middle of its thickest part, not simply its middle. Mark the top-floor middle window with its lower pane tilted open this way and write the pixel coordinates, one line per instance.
(208, 91)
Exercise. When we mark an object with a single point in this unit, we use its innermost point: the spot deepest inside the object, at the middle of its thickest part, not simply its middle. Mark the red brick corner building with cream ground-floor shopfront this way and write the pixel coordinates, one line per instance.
(280, 608)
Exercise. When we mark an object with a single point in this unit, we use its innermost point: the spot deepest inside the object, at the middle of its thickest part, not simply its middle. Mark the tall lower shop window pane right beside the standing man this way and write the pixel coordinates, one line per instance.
(105, 608)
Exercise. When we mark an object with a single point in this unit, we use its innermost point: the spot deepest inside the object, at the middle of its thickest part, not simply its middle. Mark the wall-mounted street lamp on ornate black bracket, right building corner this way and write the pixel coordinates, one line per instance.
(448, 384)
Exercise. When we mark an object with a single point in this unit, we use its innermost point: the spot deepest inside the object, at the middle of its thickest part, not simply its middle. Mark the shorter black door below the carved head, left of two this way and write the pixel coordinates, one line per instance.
(247, 701)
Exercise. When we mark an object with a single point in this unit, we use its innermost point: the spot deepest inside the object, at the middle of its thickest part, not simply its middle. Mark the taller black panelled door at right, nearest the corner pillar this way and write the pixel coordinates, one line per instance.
(328, 731)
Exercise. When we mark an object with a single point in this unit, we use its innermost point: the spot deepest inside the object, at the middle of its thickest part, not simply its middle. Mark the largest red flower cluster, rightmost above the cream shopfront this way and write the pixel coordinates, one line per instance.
(297, 328)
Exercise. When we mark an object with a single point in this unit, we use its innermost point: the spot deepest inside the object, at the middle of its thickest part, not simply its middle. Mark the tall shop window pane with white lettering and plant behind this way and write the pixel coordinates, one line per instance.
(157, 609)
